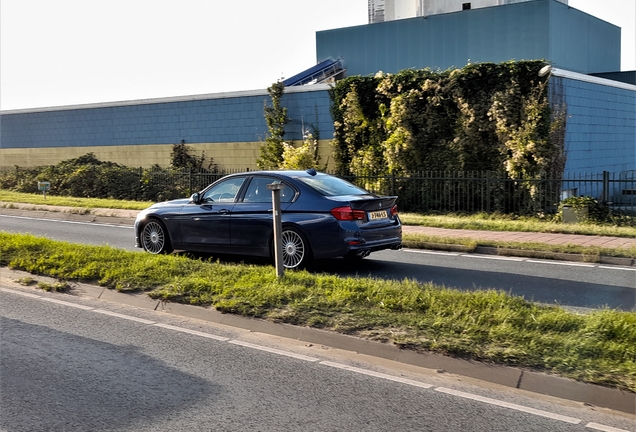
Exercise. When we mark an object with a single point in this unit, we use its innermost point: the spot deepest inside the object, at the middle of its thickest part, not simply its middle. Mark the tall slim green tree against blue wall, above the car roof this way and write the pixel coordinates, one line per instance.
(271, 152)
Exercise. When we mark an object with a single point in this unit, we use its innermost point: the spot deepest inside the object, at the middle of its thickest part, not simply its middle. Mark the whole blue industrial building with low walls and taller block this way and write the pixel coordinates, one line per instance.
(584, 51)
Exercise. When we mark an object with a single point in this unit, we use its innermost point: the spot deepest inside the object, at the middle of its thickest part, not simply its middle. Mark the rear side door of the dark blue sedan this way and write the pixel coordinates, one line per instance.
(251, 223)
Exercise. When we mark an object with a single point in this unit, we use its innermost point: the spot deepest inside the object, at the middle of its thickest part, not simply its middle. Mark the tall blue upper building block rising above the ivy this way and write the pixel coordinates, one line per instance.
(541, 29)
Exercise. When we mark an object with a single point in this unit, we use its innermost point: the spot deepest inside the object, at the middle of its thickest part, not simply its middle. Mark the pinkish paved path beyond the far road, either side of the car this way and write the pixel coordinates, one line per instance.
(127, 217)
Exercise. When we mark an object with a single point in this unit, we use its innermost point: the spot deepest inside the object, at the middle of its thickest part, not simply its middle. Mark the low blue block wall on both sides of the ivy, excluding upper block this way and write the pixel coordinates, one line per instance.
(600, 134)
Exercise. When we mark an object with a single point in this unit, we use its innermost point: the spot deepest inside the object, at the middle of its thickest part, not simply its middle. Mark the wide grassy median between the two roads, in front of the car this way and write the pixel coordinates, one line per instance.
(492, 326)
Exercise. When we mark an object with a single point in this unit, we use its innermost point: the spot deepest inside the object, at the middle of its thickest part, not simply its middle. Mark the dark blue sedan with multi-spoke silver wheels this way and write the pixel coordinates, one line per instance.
(322, 217)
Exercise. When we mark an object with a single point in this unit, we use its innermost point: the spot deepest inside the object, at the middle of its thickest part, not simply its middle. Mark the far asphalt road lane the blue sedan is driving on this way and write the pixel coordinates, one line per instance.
(577, 285)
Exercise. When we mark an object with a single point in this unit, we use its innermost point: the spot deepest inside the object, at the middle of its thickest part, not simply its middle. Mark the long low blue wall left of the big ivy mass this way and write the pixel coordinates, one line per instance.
(216, 118)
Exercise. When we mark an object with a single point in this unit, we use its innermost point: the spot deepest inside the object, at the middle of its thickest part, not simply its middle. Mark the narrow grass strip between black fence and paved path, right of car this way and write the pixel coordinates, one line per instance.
(499, 222)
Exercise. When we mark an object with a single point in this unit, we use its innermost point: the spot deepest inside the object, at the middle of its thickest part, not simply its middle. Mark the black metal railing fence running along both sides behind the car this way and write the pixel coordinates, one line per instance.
(421, 192)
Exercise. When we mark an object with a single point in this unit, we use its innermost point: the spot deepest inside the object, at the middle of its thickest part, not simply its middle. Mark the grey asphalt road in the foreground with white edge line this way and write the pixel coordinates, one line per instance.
(76, 364)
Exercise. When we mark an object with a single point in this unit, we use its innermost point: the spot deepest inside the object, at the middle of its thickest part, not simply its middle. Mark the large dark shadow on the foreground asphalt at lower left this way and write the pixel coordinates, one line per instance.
(72, 382)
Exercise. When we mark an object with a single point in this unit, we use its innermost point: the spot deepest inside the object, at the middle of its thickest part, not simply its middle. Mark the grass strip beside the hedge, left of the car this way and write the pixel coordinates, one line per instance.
(82, 203)
